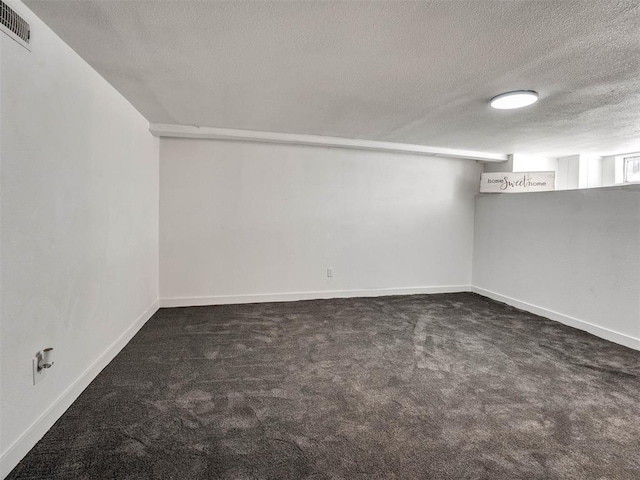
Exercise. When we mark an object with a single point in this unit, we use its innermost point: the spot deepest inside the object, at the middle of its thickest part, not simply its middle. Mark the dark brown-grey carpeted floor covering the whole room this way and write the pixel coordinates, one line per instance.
(451, 386)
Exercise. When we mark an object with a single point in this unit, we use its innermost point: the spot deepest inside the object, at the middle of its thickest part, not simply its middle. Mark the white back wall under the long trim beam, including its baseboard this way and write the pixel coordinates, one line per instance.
(241, 220)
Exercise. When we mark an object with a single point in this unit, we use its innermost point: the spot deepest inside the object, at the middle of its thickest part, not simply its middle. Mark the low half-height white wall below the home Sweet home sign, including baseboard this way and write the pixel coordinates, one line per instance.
(571, 256)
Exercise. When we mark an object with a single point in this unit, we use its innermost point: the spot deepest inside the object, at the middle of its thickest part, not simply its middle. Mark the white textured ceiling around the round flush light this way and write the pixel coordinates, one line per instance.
(410, 72)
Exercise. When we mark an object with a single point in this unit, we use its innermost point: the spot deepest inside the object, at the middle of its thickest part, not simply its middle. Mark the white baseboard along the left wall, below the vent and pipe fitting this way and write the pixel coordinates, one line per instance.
(14, 453)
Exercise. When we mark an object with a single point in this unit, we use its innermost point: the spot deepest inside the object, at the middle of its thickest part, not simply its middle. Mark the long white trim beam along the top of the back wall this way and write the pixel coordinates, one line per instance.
(189, 131)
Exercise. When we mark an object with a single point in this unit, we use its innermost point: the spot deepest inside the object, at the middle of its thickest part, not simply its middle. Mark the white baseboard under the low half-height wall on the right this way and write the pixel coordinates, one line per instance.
(602, 332)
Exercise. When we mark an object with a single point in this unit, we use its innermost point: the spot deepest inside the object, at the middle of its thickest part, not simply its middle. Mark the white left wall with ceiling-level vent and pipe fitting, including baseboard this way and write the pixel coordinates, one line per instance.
(79, 229)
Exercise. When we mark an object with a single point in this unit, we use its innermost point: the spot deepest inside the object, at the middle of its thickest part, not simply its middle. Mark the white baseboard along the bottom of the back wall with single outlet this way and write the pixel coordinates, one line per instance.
(291, 297)
